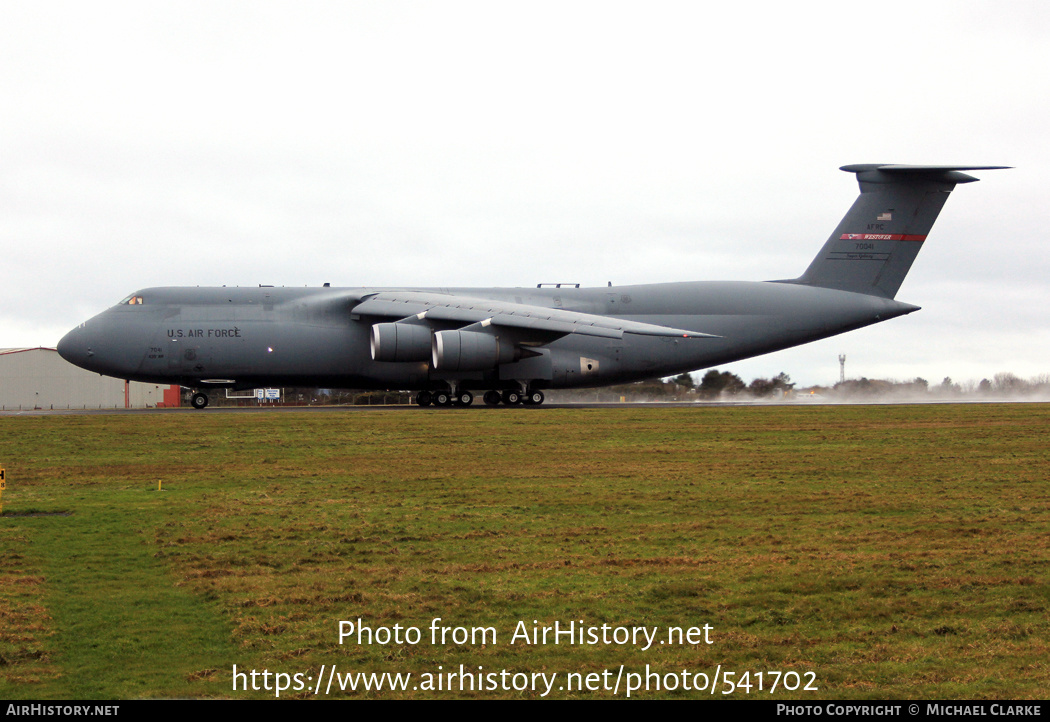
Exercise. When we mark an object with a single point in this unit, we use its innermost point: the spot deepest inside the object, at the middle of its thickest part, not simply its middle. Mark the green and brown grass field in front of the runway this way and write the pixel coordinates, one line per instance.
(893, 551)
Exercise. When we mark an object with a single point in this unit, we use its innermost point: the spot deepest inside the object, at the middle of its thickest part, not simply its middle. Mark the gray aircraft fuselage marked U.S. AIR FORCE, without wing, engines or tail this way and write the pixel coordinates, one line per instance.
(255, 337)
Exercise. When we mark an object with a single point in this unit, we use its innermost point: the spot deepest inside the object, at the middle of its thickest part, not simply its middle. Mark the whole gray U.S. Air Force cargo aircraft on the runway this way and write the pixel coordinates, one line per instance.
(513, 344)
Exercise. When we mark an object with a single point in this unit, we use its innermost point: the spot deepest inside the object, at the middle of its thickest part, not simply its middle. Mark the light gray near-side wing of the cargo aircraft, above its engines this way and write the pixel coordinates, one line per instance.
(461, 310)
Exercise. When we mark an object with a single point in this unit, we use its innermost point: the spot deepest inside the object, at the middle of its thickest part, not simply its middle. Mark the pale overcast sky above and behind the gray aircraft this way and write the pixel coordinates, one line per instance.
(509, 144)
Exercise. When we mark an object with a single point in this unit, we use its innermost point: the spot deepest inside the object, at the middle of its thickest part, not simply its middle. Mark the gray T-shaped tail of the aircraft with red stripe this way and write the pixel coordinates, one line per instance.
(876, 243)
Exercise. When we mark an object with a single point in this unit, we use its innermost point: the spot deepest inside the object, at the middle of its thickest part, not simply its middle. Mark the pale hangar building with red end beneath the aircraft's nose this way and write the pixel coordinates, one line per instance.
(41, 379)
